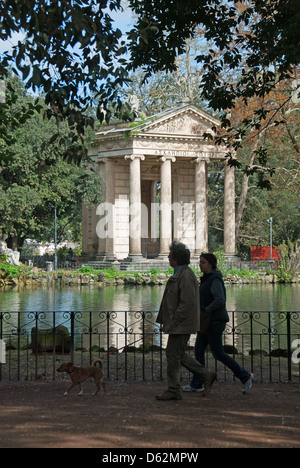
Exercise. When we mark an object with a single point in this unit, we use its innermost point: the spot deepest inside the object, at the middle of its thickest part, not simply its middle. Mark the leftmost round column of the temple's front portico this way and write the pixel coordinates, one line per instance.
(135, 210)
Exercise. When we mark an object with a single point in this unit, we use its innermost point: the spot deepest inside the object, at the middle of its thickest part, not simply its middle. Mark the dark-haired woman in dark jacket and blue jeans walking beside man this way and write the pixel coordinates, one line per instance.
(213, 319)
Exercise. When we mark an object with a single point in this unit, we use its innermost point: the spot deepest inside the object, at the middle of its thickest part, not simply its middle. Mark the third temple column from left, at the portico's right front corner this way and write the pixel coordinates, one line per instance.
(201, 206)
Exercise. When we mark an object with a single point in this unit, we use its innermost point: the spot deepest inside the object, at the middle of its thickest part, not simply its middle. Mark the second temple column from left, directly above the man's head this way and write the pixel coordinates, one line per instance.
(166, 205)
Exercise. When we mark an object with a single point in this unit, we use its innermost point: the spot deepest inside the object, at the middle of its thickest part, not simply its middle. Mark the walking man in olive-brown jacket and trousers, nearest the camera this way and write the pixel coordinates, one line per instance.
(179, 316)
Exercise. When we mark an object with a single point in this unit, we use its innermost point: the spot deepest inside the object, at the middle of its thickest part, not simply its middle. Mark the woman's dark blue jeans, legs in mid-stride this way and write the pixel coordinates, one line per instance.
(213, 338)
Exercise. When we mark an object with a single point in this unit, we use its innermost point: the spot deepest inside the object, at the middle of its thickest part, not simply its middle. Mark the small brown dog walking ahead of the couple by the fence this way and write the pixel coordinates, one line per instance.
(80, 374)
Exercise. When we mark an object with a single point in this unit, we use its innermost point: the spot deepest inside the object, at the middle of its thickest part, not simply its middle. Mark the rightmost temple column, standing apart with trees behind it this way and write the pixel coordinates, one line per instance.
(229, 211)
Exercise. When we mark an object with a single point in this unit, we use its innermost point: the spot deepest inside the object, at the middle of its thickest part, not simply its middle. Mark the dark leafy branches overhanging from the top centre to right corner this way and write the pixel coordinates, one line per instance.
(256, 40)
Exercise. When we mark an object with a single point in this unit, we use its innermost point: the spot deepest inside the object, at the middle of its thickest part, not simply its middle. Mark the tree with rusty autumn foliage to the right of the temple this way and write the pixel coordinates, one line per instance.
(277, 162)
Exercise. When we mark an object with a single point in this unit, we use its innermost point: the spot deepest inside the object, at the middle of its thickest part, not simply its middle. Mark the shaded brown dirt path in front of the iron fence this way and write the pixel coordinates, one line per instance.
(37, 415)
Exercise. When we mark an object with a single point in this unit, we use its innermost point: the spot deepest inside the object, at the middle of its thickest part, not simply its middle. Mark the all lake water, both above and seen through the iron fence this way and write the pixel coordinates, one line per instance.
(267, 297)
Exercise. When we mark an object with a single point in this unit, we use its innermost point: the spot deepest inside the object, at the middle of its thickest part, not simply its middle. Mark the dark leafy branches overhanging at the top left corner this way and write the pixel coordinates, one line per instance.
(71, 52)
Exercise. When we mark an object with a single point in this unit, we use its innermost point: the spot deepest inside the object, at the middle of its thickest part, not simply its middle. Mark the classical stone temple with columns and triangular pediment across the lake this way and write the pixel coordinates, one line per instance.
(155, 187)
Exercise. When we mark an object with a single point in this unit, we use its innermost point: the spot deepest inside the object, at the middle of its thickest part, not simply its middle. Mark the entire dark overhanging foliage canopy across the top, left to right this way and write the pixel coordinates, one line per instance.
(72, 52)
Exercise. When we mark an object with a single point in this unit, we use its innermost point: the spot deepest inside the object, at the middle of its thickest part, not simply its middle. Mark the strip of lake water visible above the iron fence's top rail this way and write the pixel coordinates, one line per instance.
(252, 297)
